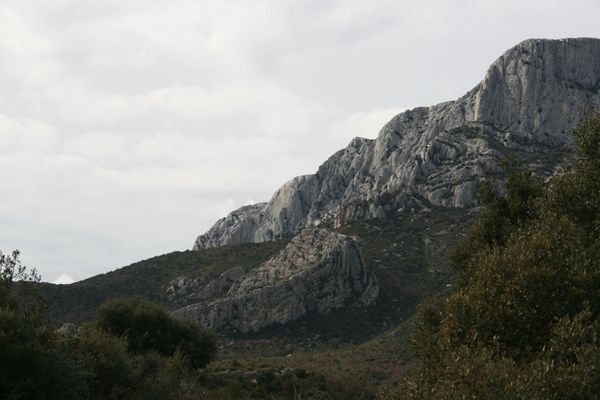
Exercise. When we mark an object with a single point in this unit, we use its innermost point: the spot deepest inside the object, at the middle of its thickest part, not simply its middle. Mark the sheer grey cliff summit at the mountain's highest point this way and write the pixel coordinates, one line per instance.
(541, 87)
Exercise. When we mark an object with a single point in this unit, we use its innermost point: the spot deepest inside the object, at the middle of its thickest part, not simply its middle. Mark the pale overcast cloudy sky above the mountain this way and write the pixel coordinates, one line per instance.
(127, 128)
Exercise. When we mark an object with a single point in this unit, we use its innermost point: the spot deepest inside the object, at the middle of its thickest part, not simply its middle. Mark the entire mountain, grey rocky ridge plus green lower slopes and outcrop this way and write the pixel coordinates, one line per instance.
(375, 221)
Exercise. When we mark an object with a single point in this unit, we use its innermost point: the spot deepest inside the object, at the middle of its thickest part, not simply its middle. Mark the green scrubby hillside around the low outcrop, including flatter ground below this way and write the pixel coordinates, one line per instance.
(369, 346)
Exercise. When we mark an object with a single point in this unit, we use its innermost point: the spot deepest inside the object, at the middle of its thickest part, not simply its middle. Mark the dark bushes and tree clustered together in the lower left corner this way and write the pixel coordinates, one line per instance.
(134, 351)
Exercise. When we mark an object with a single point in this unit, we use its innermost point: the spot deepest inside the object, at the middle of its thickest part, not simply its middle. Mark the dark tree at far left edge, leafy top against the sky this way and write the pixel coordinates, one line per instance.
(31, 363)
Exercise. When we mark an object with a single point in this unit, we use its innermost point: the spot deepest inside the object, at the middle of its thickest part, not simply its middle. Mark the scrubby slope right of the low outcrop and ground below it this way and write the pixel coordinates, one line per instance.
(362, 349)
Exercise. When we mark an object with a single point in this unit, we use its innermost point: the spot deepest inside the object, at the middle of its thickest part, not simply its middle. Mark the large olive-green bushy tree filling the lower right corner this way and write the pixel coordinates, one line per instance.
(523, 322)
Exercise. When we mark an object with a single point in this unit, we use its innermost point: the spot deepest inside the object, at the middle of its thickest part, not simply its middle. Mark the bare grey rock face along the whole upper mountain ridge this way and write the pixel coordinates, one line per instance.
(528, 103)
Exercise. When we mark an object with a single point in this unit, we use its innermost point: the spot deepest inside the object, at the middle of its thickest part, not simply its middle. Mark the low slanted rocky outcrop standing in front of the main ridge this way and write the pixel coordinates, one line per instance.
(318, 271)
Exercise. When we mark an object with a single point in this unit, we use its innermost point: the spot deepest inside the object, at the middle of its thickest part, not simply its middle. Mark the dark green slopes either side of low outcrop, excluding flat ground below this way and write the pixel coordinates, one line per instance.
(407, 254)
